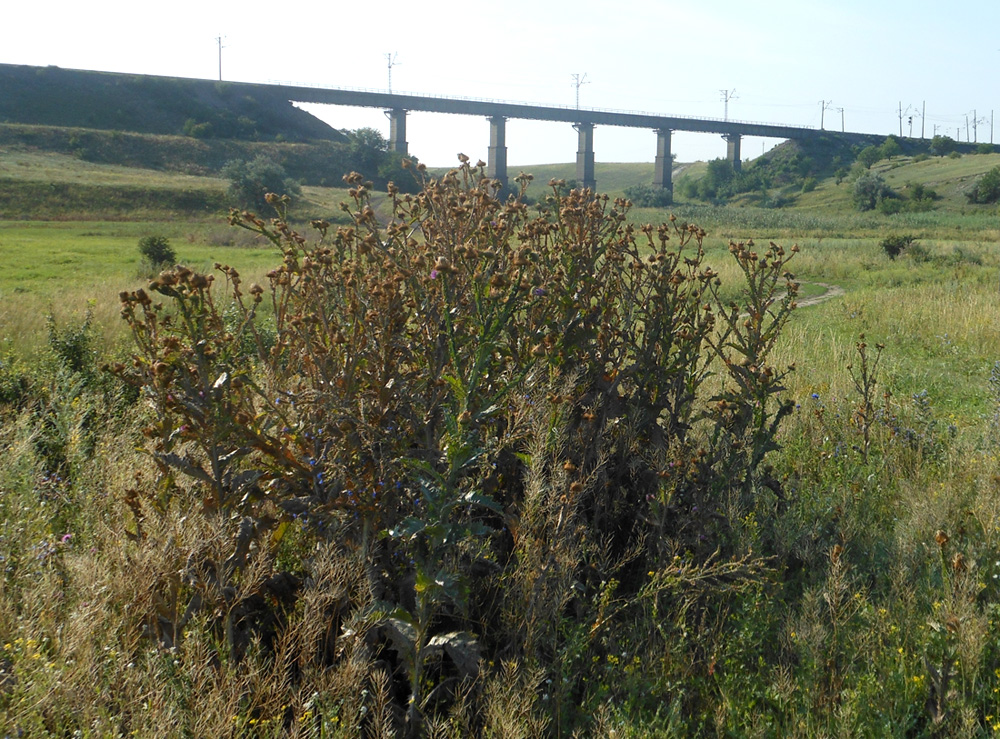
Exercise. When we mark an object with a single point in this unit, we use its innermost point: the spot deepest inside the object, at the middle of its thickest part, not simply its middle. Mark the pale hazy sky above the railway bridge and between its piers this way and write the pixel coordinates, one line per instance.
(856, 64)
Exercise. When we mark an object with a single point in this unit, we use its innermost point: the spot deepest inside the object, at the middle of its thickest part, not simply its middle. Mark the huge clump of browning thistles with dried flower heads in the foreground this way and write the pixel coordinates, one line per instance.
(503, 418)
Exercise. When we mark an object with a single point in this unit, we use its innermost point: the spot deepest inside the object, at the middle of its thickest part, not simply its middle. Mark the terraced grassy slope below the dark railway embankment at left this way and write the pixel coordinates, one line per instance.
(54, 173)
